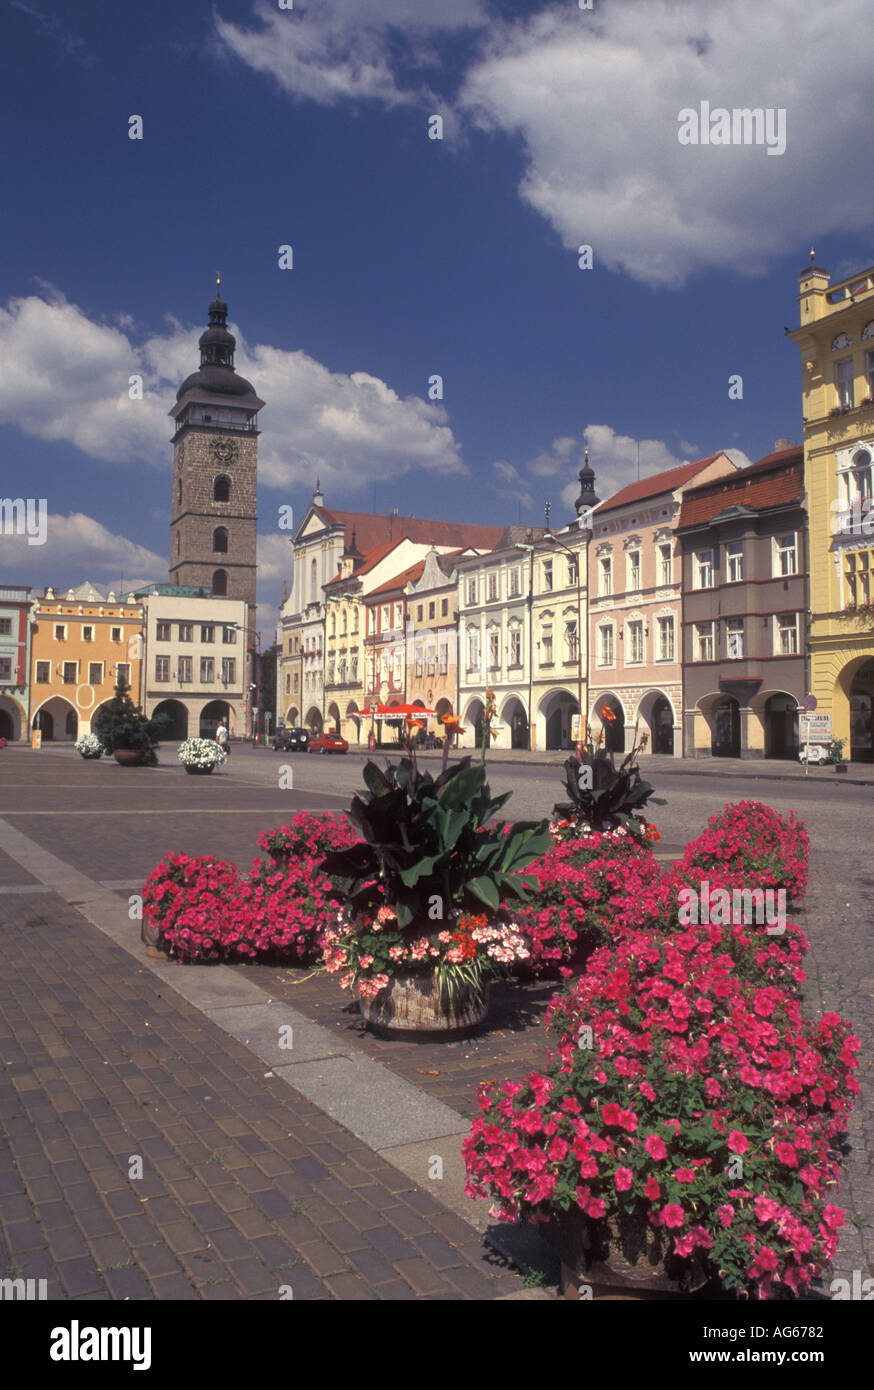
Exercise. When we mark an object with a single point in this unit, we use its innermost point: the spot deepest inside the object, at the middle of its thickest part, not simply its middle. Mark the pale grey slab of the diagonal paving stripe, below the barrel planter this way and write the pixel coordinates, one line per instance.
(379, 1107)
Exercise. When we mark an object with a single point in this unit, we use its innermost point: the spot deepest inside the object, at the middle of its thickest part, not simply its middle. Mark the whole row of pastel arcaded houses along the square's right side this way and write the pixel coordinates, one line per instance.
(701, 607)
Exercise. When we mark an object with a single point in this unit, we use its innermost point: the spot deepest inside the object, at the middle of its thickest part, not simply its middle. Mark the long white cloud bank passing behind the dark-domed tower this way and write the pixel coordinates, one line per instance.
(67, 379)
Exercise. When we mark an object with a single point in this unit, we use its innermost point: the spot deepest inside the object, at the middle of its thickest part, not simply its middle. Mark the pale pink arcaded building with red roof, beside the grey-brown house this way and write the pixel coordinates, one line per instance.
(636, 610)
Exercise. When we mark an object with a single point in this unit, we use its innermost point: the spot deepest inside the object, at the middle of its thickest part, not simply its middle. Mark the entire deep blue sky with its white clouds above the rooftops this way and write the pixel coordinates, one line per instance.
(309, 127)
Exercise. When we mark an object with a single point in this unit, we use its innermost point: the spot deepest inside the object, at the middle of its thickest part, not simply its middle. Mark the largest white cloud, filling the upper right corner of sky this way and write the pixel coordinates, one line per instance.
(595, 98)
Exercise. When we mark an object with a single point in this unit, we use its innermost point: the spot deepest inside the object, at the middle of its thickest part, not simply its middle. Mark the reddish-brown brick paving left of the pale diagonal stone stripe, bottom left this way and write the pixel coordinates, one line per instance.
(247, 1186)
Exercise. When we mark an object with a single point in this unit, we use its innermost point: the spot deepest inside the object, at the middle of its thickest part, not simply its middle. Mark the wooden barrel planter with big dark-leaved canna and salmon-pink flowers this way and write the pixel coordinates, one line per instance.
(426, 896)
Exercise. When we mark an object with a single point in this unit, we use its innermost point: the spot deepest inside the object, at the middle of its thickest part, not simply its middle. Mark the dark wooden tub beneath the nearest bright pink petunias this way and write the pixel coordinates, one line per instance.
(625, 1254)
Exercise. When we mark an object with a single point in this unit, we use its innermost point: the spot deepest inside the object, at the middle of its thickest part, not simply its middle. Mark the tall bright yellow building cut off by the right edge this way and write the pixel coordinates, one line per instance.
(837, 345)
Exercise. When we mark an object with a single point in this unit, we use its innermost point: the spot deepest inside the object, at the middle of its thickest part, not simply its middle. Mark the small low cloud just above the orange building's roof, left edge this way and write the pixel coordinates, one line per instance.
(77, 548)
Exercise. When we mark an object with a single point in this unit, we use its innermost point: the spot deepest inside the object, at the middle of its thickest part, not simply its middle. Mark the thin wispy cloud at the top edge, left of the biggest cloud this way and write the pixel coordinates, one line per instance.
(344, 49)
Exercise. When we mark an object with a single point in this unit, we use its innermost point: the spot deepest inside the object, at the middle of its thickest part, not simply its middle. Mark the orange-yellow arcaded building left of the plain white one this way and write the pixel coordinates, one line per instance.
(79, 651)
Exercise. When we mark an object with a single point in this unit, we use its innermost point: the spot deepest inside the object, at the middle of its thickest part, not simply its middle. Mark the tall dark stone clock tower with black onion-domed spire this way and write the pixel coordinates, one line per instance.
(216, 464)
